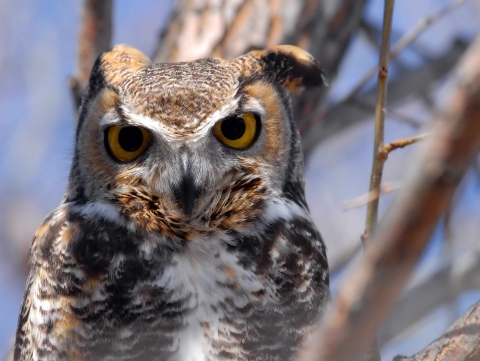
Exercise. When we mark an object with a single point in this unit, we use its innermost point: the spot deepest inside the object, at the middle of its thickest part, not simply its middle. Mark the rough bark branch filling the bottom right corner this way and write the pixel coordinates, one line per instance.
(460, 342)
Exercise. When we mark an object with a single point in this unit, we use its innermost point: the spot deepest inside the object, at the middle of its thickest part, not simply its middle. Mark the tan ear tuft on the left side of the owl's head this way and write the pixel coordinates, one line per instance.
(117, 64)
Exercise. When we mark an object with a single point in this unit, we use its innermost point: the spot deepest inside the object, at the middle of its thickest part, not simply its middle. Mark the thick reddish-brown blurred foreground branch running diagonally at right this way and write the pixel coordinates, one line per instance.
(370, 291)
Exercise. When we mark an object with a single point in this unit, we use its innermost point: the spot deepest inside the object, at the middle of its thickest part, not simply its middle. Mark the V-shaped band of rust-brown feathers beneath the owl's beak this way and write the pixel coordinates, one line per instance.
(234, 203)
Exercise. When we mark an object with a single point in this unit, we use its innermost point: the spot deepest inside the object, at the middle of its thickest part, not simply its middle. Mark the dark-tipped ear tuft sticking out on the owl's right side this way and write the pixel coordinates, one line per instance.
(292, 67)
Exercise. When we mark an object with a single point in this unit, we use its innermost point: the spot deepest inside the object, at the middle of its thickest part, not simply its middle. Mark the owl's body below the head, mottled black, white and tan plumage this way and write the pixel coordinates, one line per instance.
(101, 291)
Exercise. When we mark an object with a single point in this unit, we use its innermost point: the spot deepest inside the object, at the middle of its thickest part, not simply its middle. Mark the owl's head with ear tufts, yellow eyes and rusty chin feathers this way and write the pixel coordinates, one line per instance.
(188, 149)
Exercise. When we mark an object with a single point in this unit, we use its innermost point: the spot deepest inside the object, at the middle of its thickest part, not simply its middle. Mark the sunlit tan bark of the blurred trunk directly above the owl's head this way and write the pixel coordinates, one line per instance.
(199, 29)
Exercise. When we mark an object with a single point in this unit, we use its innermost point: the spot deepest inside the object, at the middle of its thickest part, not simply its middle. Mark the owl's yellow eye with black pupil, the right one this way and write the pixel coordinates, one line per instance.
(238, 131)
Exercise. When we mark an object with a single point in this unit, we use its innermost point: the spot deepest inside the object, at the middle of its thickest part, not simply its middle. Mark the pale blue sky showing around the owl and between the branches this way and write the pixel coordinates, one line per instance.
(37, 57)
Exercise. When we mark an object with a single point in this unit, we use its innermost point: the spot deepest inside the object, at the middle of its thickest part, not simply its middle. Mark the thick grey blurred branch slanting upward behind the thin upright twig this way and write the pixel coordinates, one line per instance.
(405, 84)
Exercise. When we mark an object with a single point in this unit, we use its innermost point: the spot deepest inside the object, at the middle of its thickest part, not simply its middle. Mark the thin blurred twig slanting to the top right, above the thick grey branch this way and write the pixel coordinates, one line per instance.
(400, 45)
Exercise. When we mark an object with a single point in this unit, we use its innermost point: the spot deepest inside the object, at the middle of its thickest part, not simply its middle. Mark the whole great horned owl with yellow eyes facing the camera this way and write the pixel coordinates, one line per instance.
(184, 233)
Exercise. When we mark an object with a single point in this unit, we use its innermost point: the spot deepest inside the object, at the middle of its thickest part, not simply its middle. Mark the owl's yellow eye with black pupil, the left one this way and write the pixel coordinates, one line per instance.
(127, 143)
